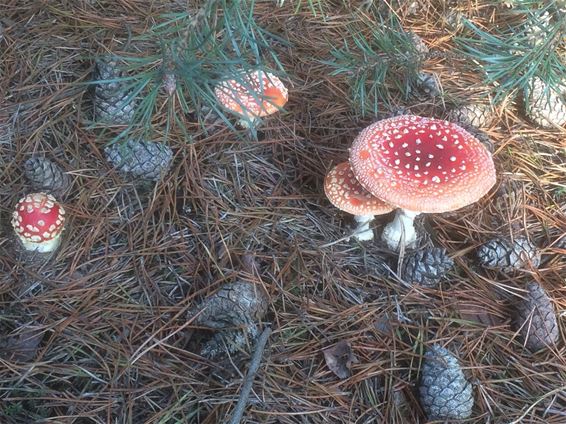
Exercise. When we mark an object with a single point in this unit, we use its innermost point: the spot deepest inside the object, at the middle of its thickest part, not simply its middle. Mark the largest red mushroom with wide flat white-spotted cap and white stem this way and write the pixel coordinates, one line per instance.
(421, 165)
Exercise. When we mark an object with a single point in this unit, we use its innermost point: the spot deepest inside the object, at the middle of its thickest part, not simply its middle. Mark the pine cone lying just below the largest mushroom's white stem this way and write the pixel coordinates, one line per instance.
(427, 267)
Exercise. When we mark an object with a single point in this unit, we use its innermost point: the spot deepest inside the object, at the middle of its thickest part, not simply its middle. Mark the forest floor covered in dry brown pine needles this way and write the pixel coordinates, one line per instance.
(111, 308)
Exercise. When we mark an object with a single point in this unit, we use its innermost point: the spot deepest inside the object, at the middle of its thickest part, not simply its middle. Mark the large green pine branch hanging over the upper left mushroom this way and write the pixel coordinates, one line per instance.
(193, 53)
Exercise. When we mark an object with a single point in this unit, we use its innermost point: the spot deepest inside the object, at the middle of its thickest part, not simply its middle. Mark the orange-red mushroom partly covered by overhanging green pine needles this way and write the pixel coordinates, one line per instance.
(252, 95)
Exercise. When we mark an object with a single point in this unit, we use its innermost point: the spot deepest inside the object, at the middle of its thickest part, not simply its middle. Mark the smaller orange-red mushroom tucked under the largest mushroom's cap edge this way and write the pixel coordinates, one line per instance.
(346, 193)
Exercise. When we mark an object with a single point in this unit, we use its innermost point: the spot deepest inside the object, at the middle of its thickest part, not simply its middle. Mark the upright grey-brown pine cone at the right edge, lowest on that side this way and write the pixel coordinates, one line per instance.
(536, 320)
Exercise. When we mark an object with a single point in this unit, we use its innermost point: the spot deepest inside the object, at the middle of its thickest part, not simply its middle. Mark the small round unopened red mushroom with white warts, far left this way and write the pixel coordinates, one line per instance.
(38, 222)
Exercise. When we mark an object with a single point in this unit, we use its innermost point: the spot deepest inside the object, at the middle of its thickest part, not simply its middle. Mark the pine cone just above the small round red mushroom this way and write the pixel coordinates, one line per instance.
(47, 176)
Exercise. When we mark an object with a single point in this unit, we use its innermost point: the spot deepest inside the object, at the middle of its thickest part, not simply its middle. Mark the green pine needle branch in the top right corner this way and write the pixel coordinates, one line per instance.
(513, 55)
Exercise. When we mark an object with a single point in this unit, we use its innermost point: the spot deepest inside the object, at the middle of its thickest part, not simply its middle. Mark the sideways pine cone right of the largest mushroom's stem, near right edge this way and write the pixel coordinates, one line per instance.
(508, 256)
